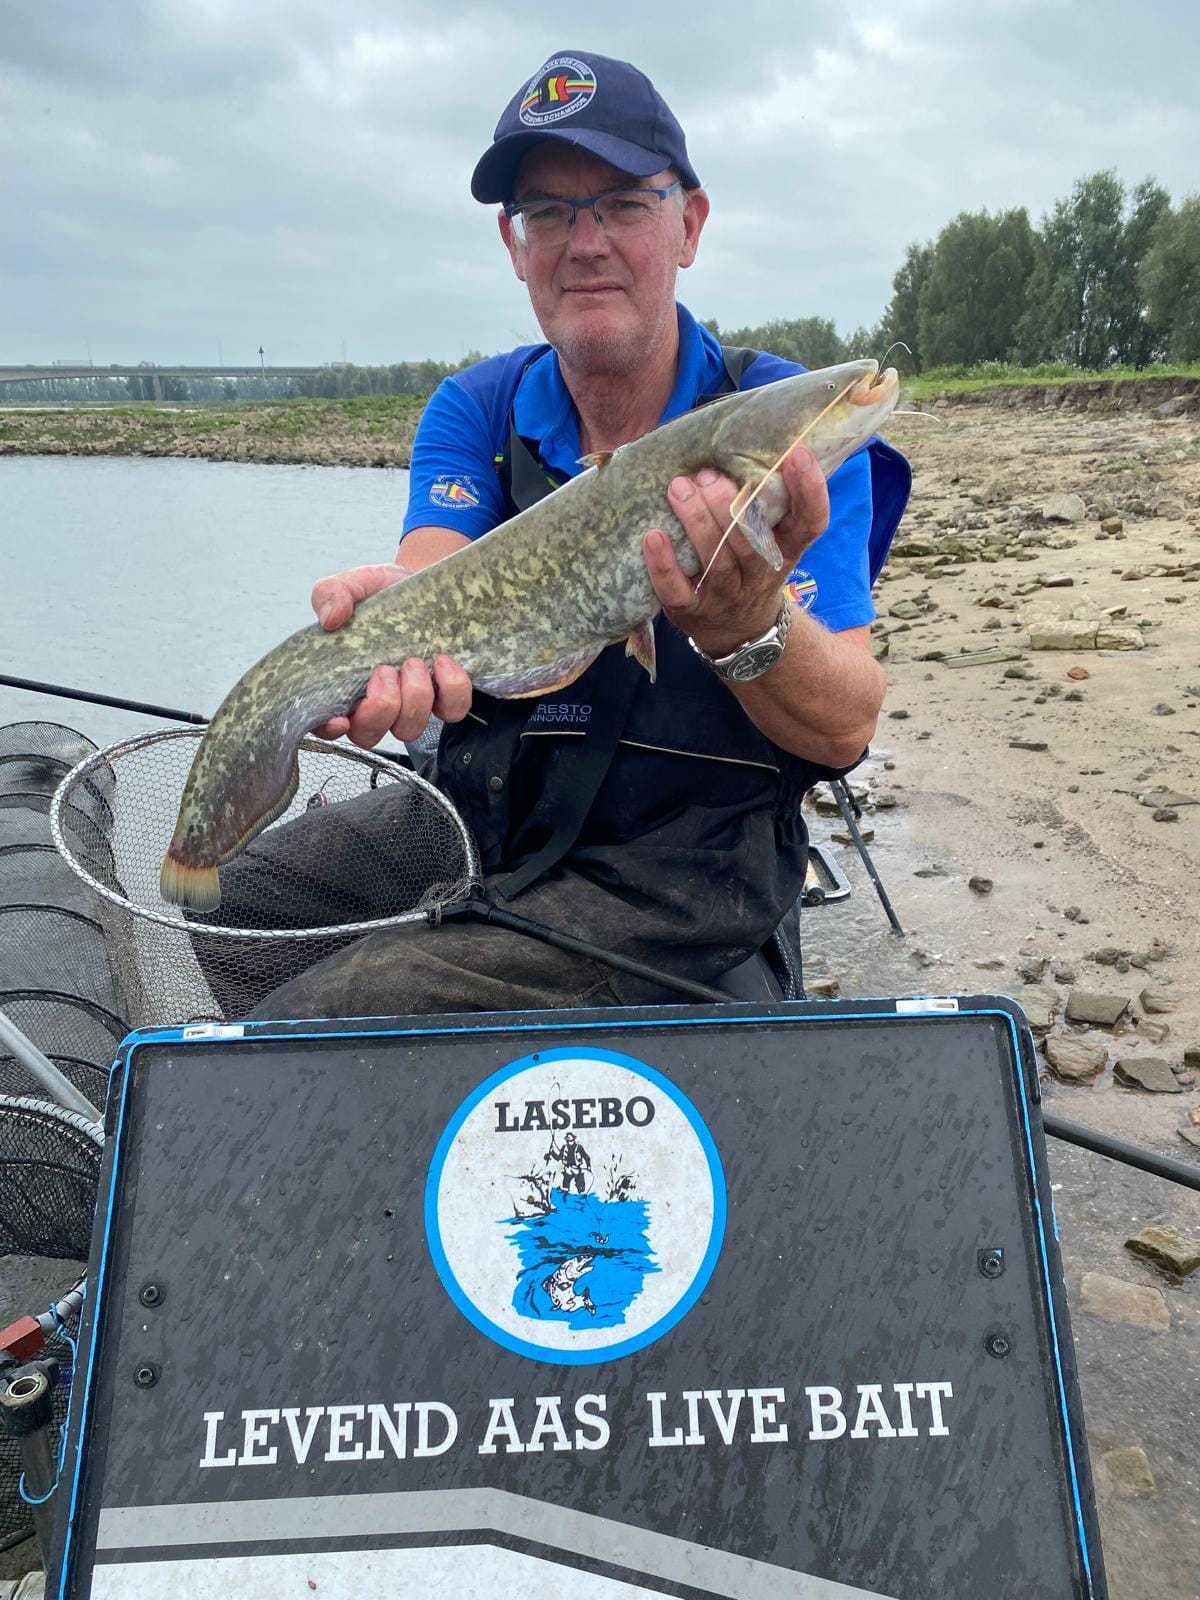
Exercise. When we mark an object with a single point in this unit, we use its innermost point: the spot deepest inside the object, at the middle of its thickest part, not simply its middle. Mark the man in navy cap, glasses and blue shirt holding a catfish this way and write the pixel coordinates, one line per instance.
(674, 834)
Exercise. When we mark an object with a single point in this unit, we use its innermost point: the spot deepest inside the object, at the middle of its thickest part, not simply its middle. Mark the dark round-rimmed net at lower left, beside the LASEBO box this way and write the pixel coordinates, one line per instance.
(49, 1175)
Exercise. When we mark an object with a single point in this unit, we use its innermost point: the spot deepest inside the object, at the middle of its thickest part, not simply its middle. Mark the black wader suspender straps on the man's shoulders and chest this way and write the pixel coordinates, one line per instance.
(580, 780)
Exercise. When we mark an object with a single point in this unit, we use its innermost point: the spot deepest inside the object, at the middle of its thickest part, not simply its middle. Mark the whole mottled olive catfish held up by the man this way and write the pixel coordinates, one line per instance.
(526, 609)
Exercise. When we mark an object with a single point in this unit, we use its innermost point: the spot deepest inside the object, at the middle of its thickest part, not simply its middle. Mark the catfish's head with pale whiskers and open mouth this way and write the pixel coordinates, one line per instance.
(833, 410)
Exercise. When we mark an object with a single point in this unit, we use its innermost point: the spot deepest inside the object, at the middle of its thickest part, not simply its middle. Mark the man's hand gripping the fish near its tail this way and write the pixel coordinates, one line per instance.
(402, 702)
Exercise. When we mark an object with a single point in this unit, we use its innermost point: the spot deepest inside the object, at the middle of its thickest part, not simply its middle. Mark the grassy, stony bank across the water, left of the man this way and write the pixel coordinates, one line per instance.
(362, 433)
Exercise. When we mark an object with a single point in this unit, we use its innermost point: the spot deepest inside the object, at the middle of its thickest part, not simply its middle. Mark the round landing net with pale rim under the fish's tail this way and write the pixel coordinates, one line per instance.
(364, 846)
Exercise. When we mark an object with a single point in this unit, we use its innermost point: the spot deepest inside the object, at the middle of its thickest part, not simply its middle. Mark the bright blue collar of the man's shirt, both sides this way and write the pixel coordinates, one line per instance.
(545, 412)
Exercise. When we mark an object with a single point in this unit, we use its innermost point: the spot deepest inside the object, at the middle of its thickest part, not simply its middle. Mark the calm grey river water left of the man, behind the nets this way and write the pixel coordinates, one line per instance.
(166, 580)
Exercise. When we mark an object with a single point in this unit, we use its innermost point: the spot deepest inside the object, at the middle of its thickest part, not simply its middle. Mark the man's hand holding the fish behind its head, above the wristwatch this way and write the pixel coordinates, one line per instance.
(740, 599)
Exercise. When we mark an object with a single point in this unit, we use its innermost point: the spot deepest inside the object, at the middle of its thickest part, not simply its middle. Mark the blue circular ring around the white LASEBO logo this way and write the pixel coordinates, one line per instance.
(610, 1353)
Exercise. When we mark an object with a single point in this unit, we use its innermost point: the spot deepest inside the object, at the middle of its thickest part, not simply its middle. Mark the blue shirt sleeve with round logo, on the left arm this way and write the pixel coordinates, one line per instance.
(452, 478)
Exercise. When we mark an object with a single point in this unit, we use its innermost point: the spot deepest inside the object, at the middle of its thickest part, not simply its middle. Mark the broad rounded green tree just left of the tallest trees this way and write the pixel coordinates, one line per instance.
(975, 292)
